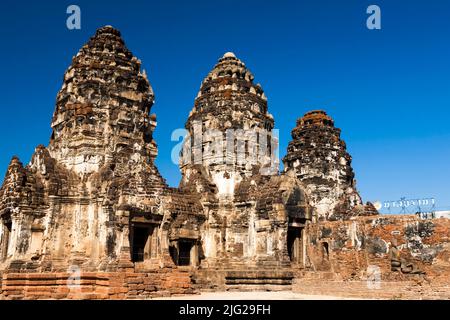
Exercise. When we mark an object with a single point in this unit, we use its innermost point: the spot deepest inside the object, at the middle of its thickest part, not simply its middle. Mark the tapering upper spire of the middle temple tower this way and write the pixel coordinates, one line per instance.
(229, 129)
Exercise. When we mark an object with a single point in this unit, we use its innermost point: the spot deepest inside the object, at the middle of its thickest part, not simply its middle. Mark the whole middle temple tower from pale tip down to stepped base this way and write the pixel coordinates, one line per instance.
(250, 210)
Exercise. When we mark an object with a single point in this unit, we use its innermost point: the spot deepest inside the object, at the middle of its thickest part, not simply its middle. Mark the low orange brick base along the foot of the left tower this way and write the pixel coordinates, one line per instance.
(96, 285)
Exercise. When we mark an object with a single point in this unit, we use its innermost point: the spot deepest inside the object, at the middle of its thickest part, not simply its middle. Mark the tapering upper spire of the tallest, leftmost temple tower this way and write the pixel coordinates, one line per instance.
(102, 109)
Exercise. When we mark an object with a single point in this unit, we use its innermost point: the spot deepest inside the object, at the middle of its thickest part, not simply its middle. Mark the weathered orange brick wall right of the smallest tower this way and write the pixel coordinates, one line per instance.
(349, 248)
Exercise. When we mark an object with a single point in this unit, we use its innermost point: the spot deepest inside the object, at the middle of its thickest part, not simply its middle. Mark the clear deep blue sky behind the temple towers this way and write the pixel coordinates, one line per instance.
(388, 90)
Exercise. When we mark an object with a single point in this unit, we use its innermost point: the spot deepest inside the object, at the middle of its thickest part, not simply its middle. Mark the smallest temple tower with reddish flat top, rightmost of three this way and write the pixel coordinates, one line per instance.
(320, 161)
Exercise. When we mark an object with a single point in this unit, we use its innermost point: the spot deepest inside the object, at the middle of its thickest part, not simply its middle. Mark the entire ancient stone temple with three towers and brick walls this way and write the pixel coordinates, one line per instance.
(91, 217)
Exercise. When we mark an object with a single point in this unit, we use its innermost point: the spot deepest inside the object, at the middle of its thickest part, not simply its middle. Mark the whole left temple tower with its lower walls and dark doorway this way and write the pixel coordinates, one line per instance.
(93, 197)
